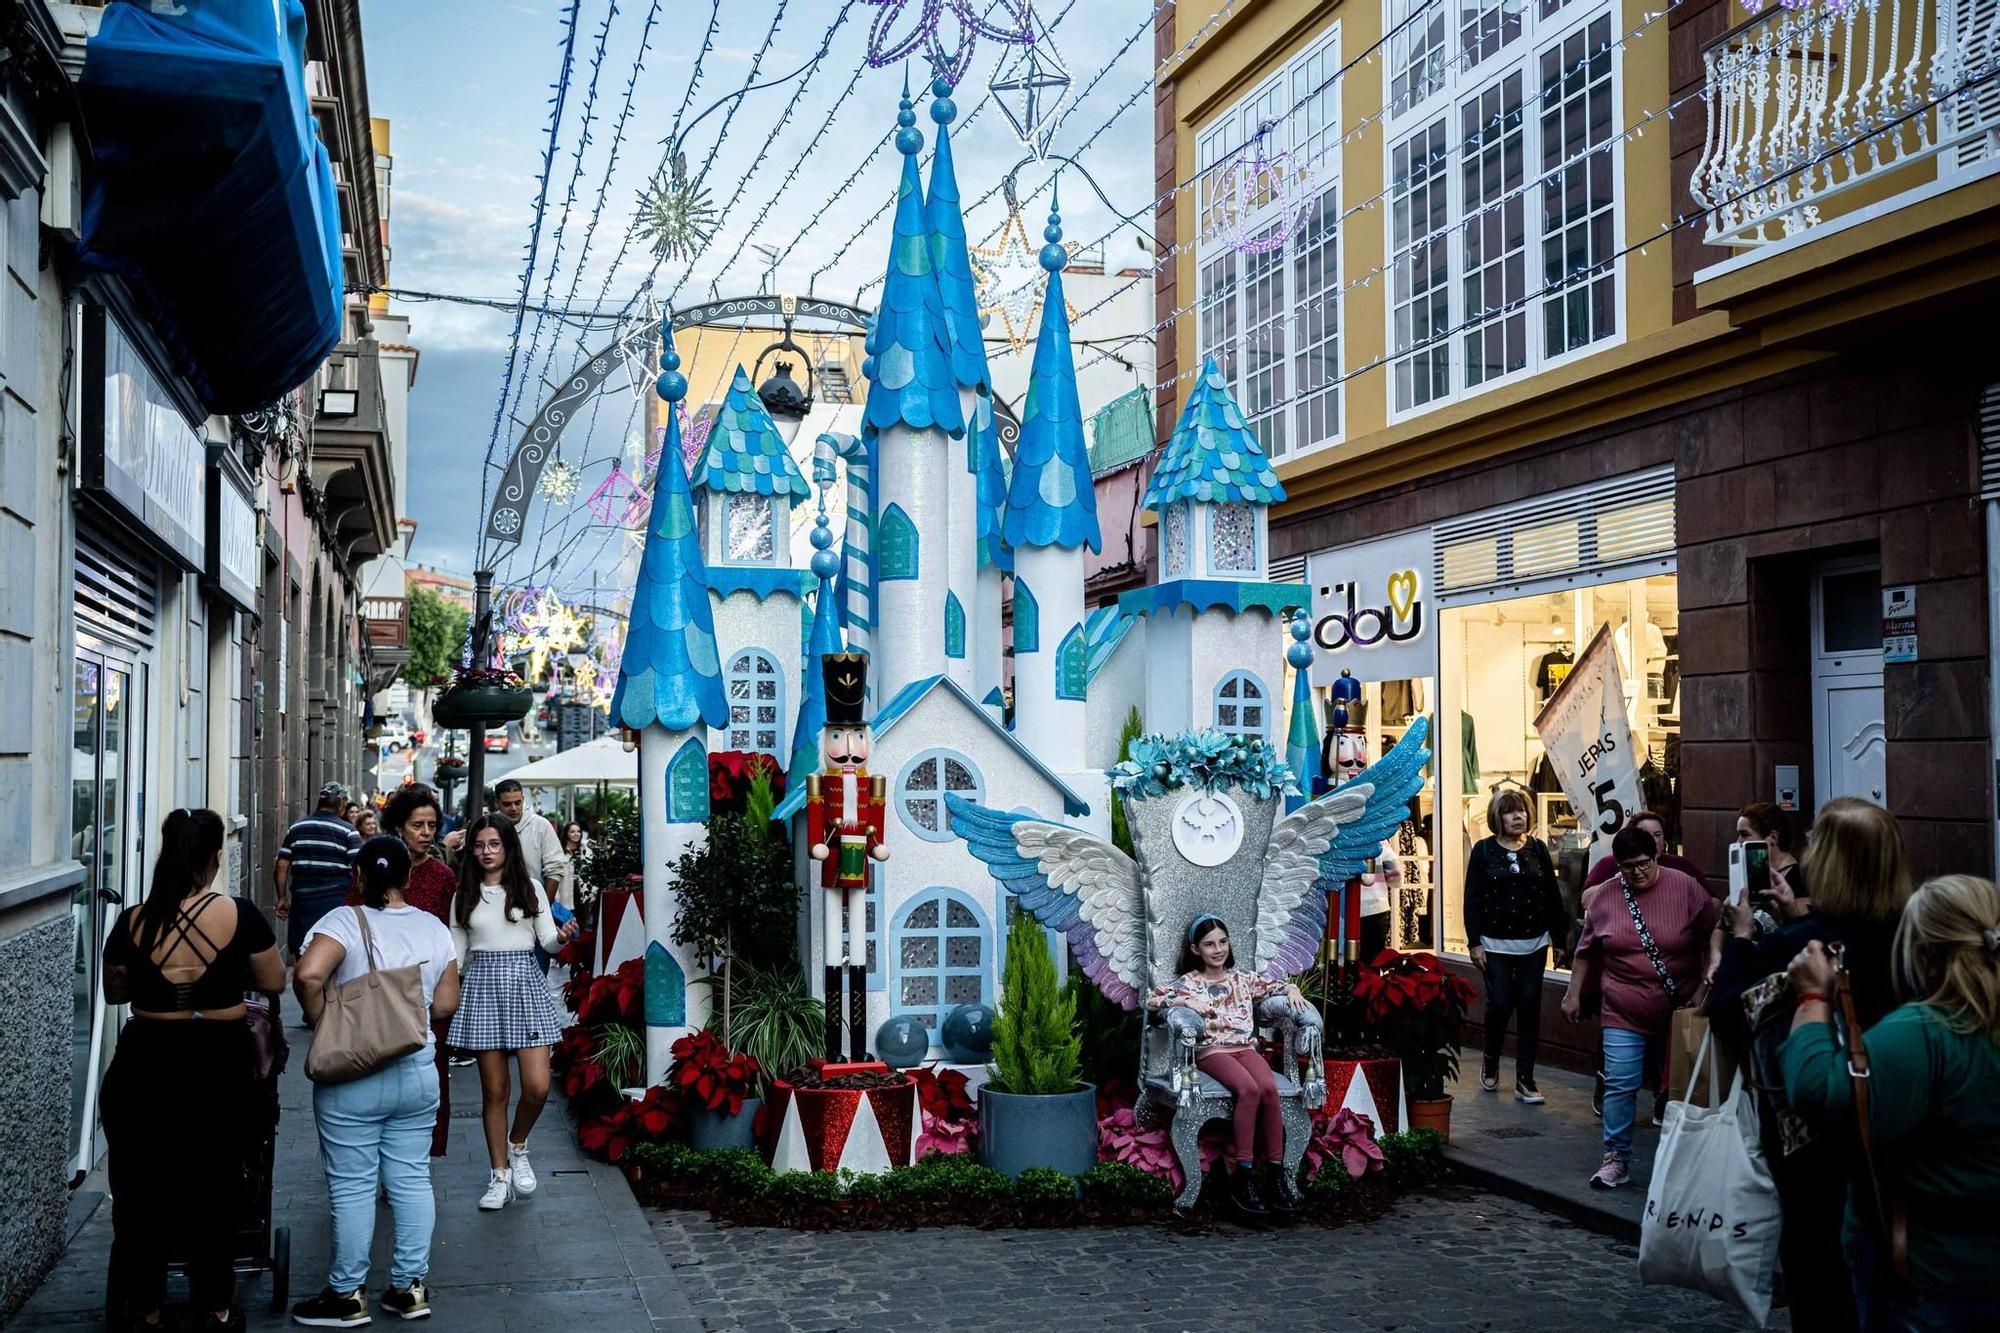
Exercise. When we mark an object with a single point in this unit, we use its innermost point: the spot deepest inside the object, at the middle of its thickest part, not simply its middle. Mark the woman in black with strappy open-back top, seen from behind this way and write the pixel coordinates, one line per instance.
(179, 1096)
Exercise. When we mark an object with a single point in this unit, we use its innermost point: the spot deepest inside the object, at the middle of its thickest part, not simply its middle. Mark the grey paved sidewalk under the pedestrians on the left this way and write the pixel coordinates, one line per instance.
(581, 1254)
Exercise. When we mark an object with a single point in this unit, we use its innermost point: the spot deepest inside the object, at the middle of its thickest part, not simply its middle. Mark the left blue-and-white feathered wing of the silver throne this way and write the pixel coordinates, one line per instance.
(1071, 882)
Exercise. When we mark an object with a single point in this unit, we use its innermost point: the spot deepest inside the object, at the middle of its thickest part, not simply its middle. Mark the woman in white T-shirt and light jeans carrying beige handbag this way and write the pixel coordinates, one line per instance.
(373, 980)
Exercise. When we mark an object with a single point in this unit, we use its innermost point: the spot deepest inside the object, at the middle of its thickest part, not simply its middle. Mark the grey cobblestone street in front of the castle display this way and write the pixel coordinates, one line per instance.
(1451, 1262)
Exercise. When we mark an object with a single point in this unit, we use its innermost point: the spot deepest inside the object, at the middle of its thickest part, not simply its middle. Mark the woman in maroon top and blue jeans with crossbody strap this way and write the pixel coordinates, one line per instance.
(1643, 948)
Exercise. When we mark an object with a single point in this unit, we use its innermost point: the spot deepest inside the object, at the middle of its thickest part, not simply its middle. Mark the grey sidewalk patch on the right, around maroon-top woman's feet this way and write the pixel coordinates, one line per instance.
(1545, 1156)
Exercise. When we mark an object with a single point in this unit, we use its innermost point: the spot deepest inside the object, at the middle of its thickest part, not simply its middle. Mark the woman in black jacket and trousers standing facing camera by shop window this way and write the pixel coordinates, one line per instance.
(1515, 916)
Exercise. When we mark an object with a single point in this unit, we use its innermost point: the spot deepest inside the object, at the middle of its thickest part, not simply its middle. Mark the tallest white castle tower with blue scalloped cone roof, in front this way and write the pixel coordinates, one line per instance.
(913, 417)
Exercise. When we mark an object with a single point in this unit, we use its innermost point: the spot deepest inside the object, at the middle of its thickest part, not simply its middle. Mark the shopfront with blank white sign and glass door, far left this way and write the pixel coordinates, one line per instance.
(141, 531)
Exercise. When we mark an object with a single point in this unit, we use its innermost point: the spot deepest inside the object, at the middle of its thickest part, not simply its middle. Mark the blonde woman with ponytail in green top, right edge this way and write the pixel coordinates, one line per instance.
(1933, 1106)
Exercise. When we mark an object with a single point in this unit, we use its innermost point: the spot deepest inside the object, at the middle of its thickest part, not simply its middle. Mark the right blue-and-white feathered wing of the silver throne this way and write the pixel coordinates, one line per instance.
(1323, 846)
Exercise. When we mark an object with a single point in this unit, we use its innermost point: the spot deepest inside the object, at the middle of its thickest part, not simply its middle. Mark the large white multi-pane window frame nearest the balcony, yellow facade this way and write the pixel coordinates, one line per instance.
(1545, 23)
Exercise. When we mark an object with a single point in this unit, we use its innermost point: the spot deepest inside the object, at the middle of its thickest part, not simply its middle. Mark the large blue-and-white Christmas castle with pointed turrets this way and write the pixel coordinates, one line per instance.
(725, 653)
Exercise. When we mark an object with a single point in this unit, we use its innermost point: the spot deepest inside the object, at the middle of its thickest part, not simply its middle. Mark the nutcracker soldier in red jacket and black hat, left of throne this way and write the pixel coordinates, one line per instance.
(845, 830)
